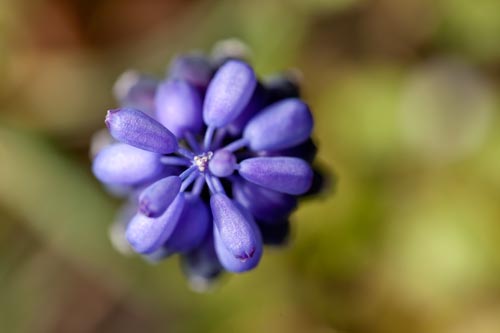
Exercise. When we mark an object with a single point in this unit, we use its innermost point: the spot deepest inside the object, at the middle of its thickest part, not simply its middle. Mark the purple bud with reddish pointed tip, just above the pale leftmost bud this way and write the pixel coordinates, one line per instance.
(137, 129)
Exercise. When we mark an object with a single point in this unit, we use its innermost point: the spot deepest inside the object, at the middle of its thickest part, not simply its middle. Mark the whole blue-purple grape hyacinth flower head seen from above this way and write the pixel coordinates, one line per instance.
(212, 160)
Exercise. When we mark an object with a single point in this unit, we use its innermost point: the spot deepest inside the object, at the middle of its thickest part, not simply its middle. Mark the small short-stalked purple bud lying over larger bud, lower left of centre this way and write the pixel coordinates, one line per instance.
(155, 199)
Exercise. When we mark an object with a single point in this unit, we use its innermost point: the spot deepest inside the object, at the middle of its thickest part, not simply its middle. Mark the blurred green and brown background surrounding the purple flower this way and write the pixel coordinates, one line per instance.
(406, 99)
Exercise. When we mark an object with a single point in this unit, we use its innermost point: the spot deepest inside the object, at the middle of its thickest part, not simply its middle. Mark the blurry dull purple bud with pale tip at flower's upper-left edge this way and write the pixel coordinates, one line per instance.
(136, 90)
